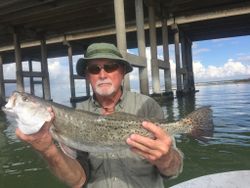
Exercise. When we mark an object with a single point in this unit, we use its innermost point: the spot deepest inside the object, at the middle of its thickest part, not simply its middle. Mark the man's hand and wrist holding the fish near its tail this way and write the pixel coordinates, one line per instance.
(157, 151)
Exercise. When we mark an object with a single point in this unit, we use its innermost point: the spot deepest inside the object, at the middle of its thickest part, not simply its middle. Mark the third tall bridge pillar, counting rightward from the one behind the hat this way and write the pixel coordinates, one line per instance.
(153, 47)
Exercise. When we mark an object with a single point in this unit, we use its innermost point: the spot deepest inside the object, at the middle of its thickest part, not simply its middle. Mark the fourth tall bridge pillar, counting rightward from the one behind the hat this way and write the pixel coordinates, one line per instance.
(165, 43)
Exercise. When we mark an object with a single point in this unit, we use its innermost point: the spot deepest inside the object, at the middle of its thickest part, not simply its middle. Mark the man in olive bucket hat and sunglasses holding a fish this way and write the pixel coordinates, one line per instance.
(147, 160)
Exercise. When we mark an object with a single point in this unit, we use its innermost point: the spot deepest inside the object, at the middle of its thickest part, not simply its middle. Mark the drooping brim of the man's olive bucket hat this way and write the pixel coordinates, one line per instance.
(82, 64)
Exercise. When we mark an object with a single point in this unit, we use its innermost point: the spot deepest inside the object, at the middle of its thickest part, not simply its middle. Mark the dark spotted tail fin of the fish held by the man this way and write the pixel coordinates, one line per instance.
(201, 123)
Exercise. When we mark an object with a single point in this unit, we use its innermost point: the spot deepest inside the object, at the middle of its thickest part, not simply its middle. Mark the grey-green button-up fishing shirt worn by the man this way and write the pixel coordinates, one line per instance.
(122, 168)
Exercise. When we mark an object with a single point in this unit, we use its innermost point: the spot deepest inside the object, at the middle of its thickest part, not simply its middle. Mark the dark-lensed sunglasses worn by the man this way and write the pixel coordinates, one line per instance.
(96, 69)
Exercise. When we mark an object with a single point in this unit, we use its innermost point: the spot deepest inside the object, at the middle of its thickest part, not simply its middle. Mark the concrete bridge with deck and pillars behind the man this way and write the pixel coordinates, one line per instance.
(128, 24)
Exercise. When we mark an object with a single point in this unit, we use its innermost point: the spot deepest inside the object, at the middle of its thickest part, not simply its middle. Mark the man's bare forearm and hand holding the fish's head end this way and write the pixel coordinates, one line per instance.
(65, 168)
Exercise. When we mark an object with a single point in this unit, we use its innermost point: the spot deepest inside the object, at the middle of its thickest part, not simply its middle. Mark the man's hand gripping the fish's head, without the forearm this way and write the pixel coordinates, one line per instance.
(42, 140)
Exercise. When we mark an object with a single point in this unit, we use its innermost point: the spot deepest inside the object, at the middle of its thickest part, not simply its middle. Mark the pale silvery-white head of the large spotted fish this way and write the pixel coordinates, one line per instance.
(28, 111)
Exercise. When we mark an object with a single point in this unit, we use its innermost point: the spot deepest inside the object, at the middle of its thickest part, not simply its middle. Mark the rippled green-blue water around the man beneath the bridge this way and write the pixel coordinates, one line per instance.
(227, 150)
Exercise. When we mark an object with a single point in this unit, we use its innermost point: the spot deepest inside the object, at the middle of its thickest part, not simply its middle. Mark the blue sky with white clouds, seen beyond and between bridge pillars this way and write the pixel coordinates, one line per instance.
(218, 59)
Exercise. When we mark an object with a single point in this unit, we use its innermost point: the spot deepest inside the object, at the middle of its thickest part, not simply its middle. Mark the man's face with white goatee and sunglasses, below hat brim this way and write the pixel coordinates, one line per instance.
(105, 76)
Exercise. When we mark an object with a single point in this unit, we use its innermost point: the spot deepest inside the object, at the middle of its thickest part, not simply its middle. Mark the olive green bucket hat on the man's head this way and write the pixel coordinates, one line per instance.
(101, 51)
